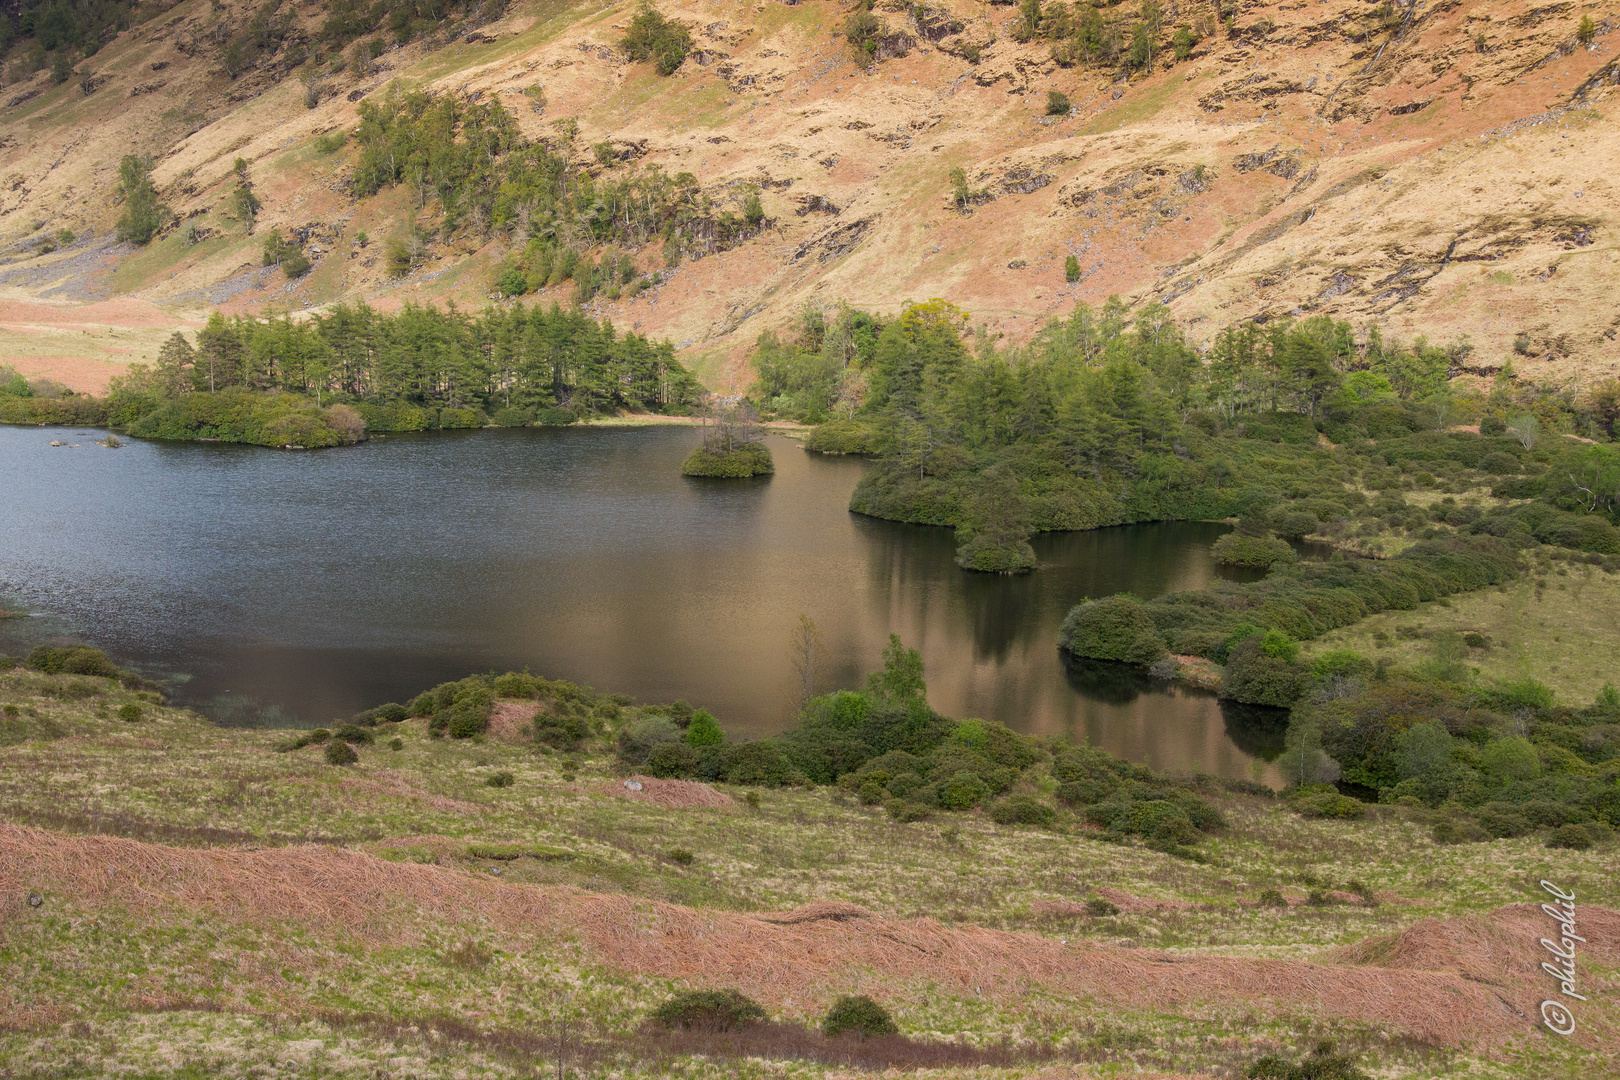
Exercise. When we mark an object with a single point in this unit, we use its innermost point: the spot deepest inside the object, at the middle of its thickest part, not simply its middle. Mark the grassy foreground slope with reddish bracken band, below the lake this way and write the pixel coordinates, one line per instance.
(213, 903)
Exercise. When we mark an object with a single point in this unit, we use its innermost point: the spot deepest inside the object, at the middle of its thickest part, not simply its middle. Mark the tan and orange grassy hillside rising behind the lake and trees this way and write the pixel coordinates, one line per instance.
(1441, 171)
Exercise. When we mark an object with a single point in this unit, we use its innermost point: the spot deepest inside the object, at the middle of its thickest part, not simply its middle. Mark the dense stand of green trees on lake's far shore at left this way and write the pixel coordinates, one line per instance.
(265, 381)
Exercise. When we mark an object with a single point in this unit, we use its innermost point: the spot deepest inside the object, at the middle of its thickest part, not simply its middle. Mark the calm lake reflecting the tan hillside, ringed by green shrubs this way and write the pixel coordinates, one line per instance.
(276, 587)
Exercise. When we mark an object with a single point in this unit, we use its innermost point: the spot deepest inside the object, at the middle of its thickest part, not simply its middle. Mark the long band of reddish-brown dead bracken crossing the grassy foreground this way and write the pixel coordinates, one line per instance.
(816, 958)
